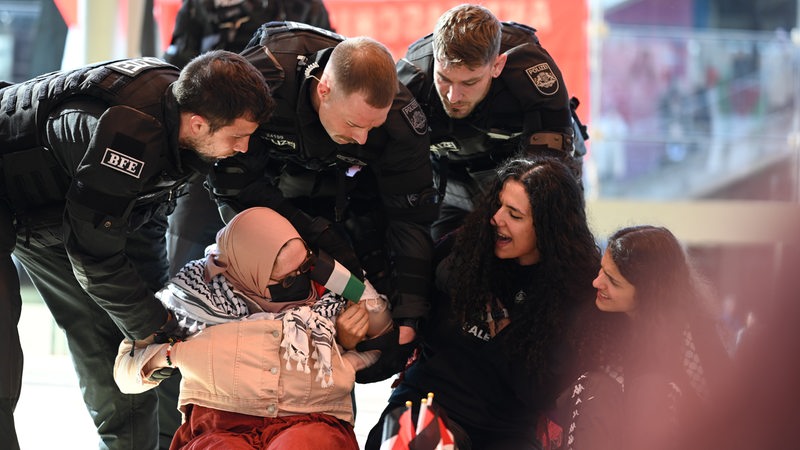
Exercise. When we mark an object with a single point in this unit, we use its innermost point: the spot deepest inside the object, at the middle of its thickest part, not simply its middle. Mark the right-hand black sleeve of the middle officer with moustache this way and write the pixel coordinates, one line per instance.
(411, 204)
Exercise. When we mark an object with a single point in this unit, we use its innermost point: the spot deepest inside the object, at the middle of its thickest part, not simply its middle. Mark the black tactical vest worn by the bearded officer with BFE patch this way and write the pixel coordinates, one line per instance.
(33, 181)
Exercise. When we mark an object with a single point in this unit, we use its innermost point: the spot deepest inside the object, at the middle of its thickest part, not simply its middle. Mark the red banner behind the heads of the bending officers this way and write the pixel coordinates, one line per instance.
(561, 26)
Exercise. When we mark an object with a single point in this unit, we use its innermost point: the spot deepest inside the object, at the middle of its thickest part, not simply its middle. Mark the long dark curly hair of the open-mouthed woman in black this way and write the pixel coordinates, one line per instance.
(569, 259)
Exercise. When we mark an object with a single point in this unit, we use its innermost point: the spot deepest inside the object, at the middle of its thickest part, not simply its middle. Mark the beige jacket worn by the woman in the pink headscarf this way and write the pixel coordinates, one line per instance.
(240, 367)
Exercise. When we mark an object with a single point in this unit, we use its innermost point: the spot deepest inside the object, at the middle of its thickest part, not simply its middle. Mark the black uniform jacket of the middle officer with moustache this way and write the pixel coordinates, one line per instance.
(294, 166)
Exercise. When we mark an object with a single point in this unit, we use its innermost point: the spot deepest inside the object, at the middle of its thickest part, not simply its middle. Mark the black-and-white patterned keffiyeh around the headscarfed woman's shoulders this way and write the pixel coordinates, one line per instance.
(198, 304)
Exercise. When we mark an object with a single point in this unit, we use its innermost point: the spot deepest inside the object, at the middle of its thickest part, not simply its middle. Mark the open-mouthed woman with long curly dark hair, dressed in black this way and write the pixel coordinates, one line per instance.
(507, 290)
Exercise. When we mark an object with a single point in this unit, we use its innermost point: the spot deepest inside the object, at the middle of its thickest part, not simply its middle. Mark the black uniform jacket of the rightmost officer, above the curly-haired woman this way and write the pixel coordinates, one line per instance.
(528, 97)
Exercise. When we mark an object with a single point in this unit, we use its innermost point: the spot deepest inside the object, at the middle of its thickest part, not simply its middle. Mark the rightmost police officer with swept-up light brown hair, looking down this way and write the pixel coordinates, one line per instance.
(490, 91)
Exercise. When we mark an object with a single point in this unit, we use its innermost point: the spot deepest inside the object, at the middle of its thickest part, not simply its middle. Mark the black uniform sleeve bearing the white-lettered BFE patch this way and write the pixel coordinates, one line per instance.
(122, 154)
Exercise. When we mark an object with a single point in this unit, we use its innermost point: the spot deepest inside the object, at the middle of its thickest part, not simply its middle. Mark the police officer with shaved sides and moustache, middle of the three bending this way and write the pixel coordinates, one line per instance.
(351, 173)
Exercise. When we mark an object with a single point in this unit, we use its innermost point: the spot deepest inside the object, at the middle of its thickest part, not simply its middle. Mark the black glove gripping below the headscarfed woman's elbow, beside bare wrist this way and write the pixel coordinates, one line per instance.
(393, 359)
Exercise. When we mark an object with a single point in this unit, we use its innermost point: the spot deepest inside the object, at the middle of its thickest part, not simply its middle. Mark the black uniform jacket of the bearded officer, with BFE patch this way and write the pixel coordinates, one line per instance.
(89, 156)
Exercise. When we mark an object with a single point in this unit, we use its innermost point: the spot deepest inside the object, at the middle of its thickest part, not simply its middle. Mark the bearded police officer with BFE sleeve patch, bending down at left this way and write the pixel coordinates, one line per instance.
(92, 160)
